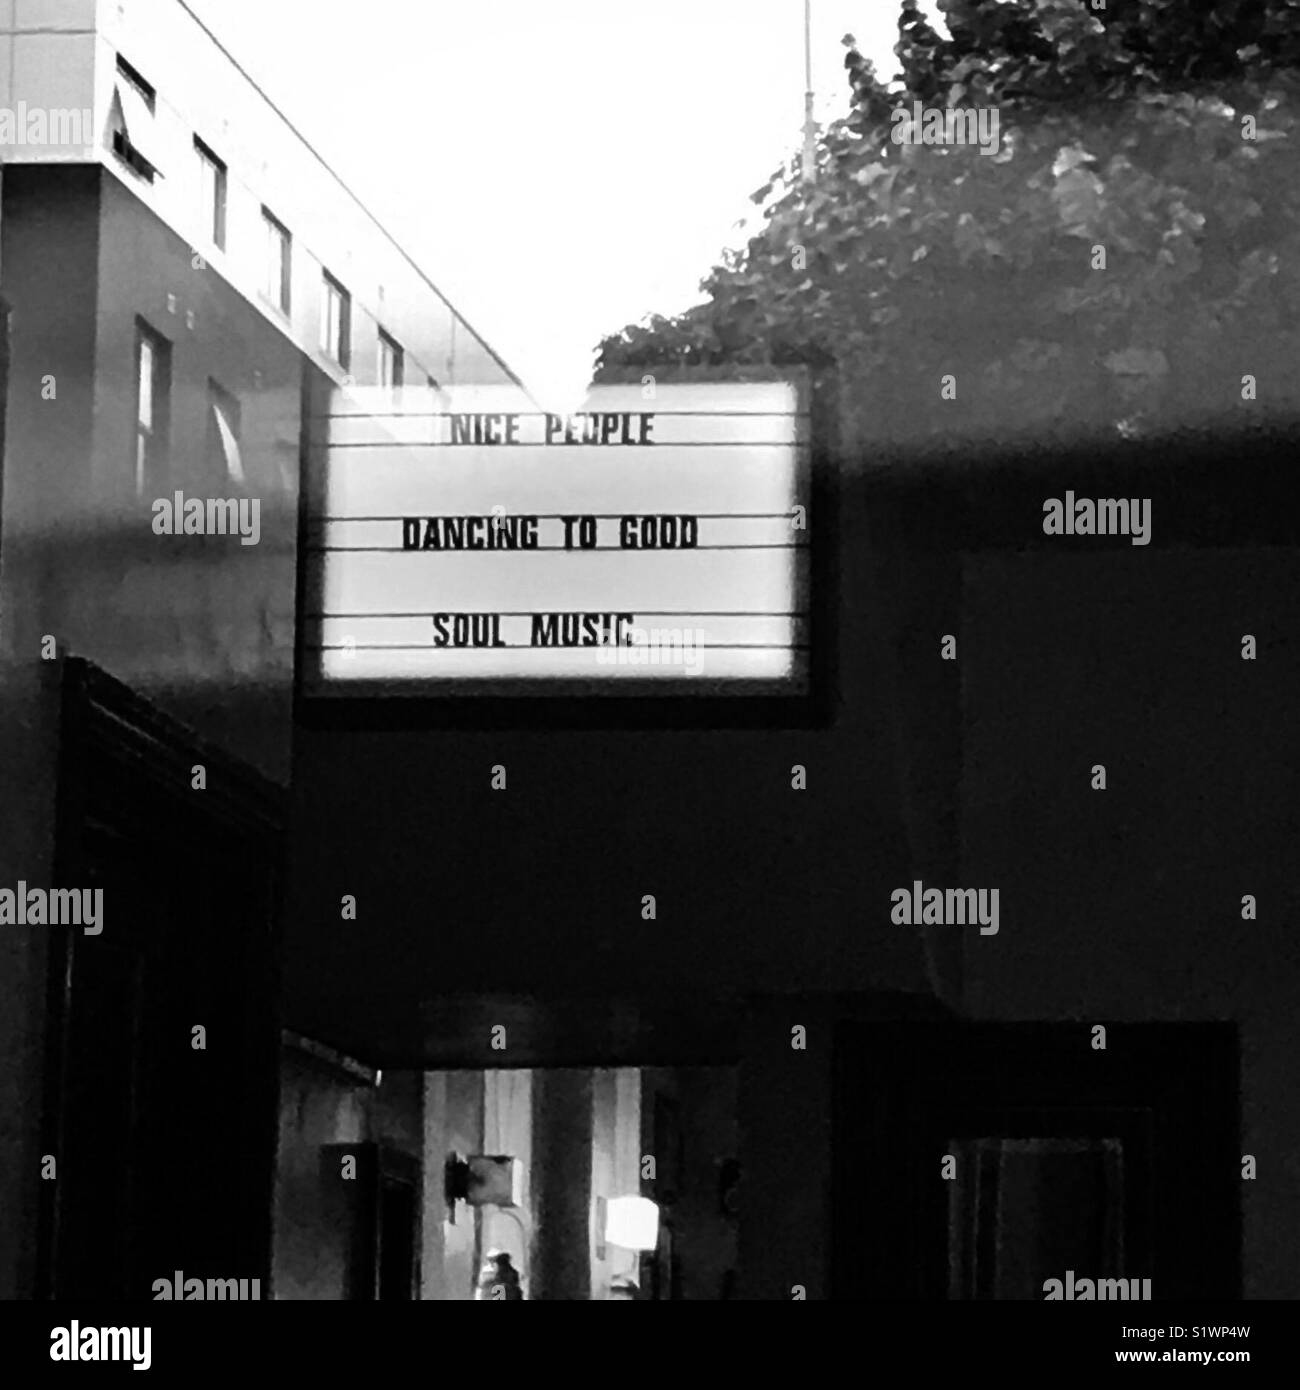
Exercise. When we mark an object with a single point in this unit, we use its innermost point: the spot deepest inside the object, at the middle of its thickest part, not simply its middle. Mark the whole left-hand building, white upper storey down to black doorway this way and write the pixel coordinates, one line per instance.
(184, 276)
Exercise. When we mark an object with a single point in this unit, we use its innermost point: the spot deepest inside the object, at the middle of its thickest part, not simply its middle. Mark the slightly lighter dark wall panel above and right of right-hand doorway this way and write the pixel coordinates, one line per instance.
(1127, 904)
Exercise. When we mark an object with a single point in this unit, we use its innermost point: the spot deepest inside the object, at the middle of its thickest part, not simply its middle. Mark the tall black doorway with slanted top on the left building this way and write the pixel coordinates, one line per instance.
(163, 1036)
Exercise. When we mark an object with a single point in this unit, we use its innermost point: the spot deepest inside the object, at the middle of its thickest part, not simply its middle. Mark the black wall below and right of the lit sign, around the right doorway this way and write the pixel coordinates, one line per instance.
(953, 772)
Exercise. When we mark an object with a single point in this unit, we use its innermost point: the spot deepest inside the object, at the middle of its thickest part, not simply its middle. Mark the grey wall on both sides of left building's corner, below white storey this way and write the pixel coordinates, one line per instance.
(204, 626)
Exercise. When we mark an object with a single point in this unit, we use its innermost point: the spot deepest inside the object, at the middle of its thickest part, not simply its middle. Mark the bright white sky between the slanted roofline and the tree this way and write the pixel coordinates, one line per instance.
(558, 167)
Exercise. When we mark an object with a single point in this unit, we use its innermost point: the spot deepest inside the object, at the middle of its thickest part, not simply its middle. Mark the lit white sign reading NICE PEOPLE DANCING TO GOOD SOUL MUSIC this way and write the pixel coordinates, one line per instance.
(465, 541)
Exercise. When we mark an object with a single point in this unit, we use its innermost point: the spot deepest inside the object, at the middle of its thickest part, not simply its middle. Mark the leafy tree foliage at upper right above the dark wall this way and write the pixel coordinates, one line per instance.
(1126, 259)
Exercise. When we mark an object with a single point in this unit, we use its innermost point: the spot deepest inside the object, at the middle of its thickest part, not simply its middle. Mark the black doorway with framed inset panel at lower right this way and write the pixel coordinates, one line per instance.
(980, 1161)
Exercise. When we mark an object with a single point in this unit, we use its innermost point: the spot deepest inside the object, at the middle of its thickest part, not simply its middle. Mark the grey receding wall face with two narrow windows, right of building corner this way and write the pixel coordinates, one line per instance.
(205, 622)
